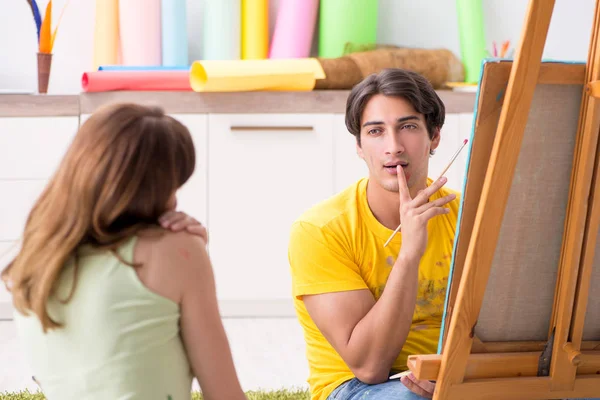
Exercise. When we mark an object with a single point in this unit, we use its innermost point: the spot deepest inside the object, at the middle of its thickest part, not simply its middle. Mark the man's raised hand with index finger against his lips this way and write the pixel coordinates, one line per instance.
(416, 213)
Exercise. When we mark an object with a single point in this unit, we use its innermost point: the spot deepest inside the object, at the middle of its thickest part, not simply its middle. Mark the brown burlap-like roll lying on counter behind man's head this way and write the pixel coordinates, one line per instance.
(437, 65)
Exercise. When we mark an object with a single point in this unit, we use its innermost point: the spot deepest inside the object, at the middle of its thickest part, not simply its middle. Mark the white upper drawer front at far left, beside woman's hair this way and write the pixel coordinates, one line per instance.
(32, 148)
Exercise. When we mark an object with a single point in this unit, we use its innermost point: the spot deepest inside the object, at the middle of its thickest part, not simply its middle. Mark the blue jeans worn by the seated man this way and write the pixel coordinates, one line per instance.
(356, 390)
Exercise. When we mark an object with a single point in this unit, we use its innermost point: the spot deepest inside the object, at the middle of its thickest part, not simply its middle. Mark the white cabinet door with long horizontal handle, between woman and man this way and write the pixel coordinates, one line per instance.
(264, 171)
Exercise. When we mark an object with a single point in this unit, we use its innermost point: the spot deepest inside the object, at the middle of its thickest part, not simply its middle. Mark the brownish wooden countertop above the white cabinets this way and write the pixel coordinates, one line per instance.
(318, 101)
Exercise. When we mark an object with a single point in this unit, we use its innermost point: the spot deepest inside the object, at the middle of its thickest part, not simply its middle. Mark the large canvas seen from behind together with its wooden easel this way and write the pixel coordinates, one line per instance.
(521, 321)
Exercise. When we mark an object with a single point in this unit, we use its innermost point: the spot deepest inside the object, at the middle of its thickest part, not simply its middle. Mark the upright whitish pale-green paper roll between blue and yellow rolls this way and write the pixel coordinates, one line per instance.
(222, 32)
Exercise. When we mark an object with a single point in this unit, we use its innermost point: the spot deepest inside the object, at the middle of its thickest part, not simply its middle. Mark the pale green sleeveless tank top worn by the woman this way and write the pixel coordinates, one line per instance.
(120, 341)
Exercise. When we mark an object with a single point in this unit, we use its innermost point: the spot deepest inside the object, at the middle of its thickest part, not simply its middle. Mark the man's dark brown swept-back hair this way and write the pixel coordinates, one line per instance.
(396, 83)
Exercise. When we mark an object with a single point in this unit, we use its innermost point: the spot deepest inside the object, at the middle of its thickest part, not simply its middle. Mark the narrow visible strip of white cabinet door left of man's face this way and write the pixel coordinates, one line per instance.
(348, 166)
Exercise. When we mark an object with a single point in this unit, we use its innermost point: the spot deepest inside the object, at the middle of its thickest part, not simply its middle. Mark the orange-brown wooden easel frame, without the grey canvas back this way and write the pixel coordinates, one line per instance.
(563, 366)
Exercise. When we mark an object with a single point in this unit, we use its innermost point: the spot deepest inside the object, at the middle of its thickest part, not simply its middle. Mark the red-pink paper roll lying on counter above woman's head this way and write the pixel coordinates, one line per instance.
(104, 81)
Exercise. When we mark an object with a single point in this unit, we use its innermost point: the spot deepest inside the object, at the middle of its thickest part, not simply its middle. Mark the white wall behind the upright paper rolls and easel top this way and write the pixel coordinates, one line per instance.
(402, 22)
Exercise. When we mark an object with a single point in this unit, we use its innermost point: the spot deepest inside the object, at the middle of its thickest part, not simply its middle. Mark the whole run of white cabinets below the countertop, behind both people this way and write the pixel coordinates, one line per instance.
(255, 174)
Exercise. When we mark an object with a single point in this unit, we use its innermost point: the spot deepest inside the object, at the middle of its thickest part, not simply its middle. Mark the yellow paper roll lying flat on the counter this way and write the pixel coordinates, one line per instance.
(252, 75)
